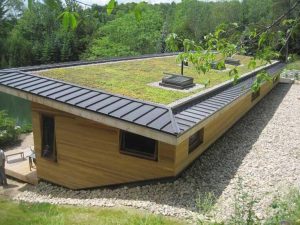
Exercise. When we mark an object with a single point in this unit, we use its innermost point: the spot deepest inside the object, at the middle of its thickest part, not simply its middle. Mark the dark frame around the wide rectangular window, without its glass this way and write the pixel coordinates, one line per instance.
(127, 151)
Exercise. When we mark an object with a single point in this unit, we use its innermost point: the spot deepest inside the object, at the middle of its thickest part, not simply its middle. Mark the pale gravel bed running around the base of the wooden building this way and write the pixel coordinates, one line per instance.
(262, 149)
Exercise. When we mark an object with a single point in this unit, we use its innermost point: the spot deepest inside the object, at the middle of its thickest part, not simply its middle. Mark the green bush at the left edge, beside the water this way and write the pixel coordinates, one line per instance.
(9, 132)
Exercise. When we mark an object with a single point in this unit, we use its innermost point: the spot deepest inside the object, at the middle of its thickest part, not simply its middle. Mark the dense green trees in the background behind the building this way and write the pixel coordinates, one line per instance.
(36, 35)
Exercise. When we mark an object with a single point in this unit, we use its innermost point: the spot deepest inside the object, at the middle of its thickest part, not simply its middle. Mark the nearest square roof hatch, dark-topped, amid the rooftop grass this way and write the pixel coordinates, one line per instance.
(177, 81)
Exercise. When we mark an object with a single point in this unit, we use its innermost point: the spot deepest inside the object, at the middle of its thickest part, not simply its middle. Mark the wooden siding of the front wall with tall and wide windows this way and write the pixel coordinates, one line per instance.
(88, 154)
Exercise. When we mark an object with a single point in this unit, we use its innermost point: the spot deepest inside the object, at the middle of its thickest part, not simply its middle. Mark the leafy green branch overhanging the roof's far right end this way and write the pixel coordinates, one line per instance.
(264, 44)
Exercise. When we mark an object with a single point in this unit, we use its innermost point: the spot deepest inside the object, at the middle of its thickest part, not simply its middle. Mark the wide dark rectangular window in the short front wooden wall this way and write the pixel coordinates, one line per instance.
(137, 145)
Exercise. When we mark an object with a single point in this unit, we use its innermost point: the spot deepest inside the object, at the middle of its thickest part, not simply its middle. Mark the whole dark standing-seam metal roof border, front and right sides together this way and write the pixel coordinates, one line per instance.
(174, 121)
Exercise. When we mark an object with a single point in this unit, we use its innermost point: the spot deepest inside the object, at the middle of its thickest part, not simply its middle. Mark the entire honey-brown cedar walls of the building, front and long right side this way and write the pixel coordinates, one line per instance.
(88, 152)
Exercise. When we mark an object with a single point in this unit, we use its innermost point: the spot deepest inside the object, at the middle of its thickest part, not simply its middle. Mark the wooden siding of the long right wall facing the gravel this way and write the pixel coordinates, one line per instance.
(217, 125)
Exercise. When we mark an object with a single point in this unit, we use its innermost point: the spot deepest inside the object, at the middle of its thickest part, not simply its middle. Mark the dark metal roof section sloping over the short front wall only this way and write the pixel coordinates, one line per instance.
(150, 115)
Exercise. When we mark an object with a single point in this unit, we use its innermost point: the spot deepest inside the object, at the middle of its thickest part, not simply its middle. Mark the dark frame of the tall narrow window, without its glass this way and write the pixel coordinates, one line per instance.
(53, 156)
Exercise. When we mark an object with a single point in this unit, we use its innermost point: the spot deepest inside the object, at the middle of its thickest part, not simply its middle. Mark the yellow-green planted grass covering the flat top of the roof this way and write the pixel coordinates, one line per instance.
(131, 78)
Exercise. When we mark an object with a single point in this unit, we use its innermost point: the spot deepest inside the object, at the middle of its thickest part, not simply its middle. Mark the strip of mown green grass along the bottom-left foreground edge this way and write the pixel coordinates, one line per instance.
(12, 213)
